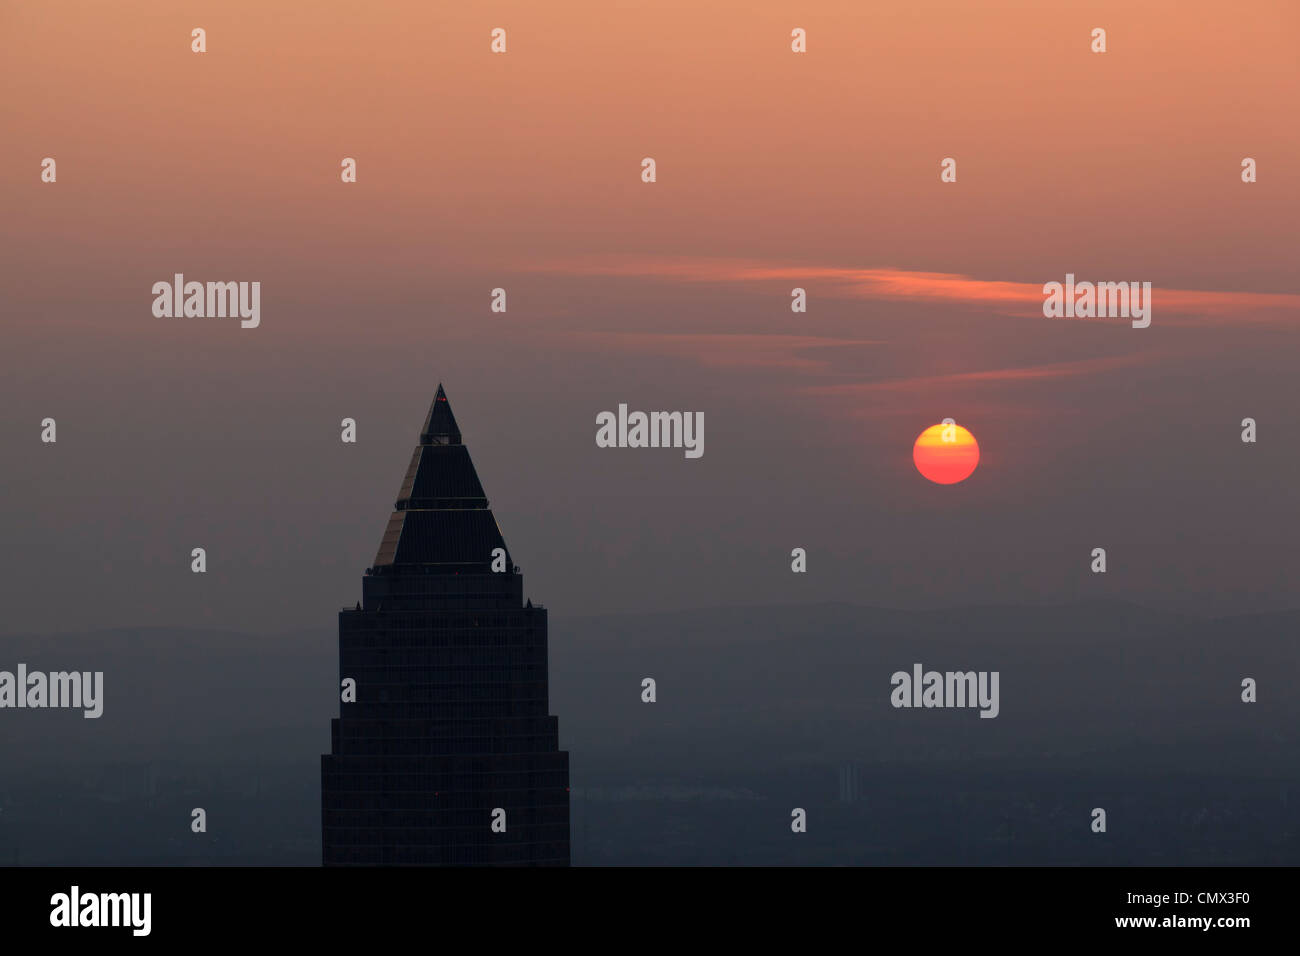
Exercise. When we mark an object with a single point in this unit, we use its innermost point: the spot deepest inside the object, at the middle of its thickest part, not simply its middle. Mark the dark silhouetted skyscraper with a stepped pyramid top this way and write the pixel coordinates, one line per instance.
(448, 755)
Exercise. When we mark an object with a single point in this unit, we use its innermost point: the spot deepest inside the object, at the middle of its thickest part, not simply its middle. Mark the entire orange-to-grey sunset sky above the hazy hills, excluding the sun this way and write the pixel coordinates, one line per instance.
(774, 171)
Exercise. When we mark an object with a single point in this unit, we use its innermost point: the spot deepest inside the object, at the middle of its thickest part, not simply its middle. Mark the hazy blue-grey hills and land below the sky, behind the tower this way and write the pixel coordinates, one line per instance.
(1133, 711)
